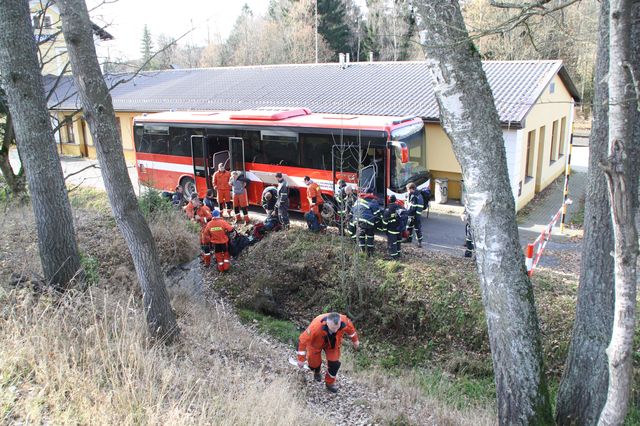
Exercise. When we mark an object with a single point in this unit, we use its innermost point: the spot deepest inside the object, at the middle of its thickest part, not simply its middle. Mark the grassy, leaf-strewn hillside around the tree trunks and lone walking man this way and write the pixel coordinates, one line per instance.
(85, 357)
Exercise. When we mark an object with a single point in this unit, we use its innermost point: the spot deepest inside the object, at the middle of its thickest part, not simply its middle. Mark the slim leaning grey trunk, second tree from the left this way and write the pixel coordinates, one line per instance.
(98, 110)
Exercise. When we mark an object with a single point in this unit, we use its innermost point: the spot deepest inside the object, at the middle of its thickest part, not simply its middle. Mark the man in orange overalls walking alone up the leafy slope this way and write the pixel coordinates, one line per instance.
(325, 334)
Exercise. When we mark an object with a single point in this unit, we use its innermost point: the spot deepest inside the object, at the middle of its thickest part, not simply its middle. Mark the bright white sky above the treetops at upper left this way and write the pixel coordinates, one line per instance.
(125, 20)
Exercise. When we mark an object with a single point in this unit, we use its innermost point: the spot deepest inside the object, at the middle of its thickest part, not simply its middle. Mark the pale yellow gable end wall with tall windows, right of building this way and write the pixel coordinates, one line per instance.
(549, 108)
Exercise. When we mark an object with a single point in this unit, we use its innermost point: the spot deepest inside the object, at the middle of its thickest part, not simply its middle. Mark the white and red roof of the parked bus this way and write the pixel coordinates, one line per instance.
(285, 117)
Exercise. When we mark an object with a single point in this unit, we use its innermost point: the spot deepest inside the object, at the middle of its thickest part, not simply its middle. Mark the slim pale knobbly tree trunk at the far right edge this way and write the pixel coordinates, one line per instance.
(622, 170)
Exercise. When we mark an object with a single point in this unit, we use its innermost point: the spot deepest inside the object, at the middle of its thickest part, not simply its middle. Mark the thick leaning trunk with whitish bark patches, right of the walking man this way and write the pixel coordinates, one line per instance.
(470, 119)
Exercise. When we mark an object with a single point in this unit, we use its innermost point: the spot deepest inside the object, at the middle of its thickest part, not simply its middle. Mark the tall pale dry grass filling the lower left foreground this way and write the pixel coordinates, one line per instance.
(84, 358)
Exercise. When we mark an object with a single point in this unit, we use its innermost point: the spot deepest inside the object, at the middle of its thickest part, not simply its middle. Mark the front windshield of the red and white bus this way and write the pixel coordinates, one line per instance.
(413, 170)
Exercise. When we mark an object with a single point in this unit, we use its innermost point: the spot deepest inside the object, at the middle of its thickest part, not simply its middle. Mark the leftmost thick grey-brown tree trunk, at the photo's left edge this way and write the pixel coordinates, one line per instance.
(25, 95)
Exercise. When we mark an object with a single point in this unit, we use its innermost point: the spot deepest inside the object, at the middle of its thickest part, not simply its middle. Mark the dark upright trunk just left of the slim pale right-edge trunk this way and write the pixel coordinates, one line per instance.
(583, 389)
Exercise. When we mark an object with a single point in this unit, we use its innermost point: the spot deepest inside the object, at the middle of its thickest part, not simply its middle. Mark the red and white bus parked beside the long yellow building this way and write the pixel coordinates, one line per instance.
(381, 154)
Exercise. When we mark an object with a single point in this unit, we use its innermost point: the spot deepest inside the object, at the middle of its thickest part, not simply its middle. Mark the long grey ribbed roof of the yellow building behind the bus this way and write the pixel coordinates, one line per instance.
(375, 88)
